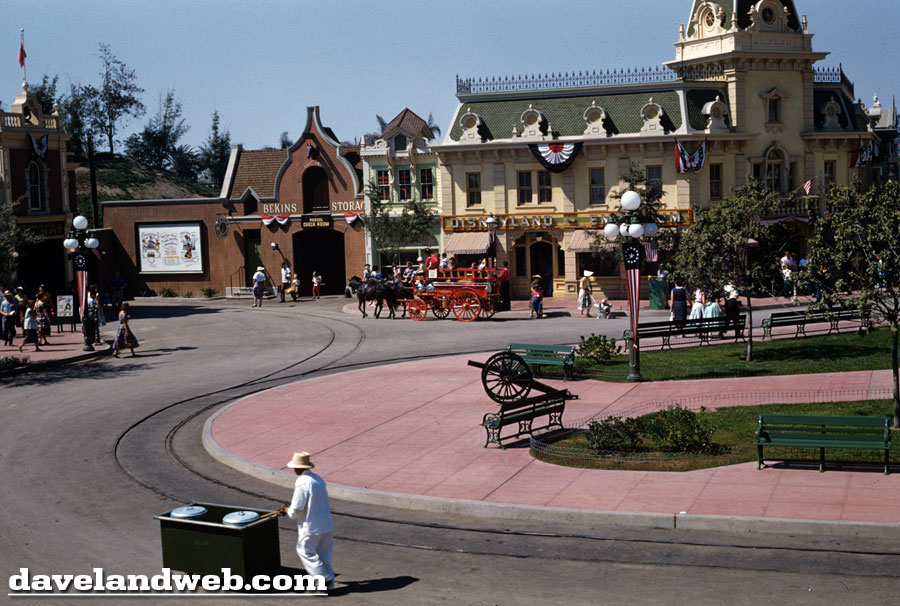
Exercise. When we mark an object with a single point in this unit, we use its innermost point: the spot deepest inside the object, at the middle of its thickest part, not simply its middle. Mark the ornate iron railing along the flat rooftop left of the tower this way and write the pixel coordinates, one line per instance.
(647, 75)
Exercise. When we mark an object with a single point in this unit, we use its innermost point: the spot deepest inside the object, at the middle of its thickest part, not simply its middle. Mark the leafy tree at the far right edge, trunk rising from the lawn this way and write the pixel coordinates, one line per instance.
(857, 249)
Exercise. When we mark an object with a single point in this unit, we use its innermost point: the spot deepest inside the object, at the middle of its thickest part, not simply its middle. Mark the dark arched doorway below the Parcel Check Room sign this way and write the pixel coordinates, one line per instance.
(322, 251)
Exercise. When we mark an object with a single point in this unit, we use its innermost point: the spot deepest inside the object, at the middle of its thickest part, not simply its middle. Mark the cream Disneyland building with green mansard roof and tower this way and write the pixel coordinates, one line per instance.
(743, 98)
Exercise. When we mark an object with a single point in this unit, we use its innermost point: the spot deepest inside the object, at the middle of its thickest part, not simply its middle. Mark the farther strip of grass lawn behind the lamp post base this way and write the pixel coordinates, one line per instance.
(832, 353)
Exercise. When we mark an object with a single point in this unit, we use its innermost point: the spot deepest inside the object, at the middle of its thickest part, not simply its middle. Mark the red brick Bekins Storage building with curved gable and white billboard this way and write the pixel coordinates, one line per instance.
(299, 205)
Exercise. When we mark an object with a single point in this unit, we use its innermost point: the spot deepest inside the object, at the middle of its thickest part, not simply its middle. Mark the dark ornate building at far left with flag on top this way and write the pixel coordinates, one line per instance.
(36, 179)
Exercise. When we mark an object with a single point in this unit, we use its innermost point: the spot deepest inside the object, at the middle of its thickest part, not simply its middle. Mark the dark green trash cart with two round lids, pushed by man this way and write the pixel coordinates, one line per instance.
(200, 543)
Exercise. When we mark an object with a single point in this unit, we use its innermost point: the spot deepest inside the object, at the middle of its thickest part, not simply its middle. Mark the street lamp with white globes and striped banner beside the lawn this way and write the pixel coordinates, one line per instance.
(632, 227)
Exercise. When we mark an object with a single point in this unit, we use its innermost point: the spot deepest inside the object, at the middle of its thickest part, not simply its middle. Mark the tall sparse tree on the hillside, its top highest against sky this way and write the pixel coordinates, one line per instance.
(117, 97)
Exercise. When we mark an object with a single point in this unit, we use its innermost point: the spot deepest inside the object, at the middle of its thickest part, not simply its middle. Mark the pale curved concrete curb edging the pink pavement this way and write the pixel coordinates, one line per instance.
(535, 513)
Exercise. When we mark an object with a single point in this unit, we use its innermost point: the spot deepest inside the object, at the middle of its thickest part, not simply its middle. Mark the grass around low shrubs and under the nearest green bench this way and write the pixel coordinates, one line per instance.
(734, 435)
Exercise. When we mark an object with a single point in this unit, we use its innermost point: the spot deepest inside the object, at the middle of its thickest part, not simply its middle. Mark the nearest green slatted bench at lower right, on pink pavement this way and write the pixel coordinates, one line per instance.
(808, 431)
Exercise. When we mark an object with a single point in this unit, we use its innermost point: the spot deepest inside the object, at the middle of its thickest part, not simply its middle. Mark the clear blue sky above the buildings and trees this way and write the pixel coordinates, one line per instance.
(260, 63)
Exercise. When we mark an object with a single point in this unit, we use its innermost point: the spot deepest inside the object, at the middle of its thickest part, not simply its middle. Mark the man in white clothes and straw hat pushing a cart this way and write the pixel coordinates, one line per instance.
(315, 528)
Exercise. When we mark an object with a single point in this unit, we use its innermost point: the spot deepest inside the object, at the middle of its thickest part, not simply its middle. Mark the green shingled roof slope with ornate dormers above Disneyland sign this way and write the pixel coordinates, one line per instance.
(566, 114)
